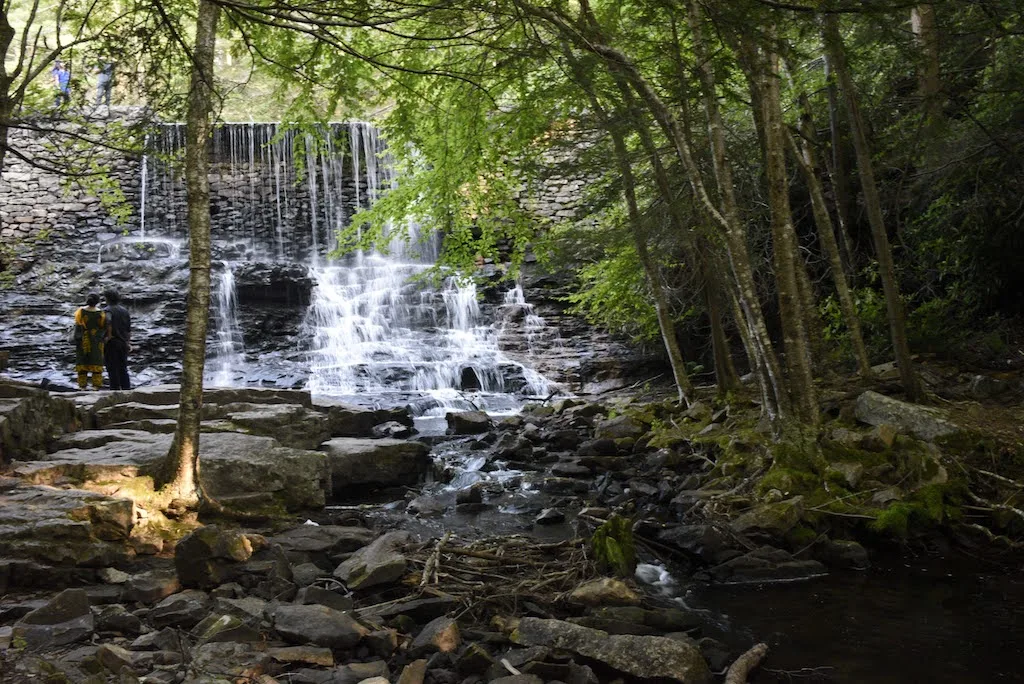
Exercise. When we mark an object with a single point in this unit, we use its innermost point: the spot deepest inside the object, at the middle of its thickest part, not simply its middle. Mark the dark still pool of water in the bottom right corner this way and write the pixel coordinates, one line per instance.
(895, 624)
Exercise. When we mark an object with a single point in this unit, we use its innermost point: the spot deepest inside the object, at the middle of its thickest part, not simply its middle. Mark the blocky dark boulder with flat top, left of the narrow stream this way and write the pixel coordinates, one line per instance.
(375, 463)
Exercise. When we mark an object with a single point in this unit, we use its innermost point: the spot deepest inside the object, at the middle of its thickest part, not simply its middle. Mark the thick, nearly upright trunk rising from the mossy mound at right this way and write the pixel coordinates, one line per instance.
(794, 290)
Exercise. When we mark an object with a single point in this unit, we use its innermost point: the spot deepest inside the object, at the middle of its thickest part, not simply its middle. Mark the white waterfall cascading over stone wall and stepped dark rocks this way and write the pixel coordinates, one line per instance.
(372, 329)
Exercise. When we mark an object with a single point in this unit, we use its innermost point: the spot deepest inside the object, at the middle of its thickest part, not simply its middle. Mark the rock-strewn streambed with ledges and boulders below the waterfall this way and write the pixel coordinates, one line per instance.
(355, 550)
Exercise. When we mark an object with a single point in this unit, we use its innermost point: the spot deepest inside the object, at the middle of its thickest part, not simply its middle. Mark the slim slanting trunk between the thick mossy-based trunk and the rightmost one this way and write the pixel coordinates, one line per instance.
(804, 154)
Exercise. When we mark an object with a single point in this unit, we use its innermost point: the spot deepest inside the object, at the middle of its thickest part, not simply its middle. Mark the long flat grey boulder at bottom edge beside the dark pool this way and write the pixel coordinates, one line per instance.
(646, 658)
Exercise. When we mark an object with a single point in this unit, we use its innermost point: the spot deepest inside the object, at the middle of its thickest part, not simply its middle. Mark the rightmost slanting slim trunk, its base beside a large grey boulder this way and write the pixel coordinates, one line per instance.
(894, 303)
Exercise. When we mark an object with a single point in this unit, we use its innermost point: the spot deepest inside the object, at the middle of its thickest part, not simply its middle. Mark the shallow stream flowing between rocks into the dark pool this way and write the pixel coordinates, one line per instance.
(925, 620)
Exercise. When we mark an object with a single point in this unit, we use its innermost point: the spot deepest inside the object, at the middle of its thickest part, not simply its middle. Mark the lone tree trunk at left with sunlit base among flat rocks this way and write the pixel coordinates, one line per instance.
(184, 458)
